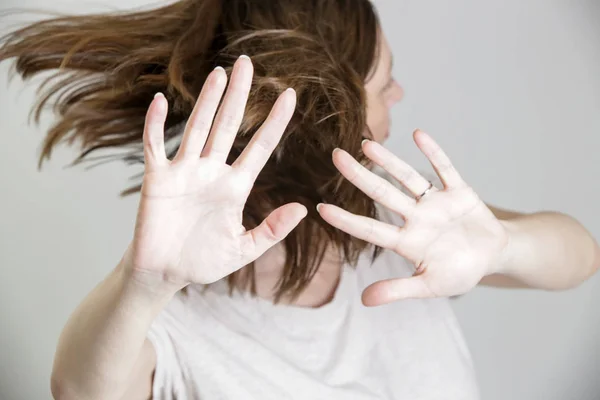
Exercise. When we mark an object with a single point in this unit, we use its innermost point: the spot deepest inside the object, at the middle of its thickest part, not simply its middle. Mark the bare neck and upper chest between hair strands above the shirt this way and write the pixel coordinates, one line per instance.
(320, 290)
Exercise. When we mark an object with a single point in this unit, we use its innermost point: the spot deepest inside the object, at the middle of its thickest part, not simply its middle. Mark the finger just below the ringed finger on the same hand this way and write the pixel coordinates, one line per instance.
(372, 185)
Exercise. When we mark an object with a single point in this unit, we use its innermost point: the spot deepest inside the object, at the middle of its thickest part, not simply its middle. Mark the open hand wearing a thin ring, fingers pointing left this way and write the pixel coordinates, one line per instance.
(449, 234)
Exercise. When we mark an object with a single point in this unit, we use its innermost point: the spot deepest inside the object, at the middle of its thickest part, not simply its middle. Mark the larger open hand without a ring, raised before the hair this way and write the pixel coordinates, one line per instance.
(189, 223)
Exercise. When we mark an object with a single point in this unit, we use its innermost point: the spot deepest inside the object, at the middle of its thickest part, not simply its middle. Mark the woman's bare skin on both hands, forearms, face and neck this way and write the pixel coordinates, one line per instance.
(190, 206)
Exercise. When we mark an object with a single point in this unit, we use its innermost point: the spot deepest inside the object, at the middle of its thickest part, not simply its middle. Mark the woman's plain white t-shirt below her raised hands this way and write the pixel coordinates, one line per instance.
(212, 346)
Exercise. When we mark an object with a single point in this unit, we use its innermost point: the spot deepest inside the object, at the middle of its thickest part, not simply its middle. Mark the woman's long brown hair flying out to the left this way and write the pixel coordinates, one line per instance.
(109, 66)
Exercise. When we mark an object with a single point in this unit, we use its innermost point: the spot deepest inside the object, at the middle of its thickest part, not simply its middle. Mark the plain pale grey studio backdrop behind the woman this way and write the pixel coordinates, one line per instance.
(511, 90)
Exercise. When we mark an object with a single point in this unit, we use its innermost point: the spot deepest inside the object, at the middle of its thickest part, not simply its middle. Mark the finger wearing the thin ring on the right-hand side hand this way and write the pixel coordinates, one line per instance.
(401, 171)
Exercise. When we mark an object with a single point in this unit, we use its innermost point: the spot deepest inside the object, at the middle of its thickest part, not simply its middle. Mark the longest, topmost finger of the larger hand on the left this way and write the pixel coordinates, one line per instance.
(231, 113)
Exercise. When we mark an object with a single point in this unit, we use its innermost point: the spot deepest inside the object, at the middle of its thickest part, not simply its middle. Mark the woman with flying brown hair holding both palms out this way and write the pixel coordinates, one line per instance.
(259, 228)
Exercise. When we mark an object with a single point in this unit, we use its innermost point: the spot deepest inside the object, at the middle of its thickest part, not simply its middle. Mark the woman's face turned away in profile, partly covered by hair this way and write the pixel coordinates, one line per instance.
(382, 93)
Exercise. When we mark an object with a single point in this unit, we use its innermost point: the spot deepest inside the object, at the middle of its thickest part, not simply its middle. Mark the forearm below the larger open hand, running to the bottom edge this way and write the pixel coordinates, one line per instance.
(103, 338)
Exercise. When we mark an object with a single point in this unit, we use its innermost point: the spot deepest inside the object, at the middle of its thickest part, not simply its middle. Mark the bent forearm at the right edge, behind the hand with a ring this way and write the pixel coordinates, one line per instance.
(549, 250)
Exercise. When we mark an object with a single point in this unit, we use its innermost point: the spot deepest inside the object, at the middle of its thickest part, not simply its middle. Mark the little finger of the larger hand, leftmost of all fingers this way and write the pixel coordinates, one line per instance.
(153, 136)
